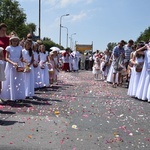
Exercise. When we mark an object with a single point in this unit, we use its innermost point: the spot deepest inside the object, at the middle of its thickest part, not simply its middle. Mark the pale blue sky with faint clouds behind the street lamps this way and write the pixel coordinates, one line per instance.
(97, 21)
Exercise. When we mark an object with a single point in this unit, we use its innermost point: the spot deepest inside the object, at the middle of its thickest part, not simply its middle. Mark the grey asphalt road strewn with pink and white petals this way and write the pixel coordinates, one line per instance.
(77, 114)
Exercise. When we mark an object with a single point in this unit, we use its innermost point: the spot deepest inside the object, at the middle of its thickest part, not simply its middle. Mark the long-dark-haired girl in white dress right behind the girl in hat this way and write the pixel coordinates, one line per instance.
(28, 59)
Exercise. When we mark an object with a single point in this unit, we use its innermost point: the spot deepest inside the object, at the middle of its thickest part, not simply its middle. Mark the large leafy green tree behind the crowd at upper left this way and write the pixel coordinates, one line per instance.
(14, 17)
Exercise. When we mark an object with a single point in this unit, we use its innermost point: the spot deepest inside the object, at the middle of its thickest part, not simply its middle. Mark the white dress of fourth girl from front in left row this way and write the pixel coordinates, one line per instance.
(44, 72)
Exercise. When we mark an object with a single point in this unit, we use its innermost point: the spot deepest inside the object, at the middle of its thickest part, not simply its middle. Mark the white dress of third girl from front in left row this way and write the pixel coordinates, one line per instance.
(37, 78)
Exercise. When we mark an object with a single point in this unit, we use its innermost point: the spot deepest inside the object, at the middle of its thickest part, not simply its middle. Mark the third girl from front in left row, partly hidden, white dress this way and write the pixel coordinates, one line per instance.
(36, 66)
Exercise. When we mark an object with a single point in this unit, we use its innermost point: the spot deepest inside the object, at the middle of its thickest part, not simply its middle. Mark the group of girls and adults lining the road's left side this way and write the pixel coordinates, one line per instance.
(25, 65)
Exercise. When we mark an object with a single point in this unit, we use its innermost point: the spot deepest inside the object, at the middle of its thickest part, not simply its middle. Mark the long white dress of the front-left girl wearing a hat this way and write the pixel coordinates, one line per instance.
(13, 87)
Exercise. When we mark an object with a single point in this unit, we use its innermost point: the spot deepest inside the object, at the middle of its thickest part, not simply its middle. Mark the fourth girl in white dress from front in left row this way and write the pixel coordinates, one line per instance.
(43, 58)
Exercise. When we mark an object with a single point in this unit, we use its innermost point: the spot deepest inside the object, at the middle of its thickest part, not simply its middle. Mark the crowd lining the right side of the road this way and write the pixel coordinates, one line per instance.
(126, 63)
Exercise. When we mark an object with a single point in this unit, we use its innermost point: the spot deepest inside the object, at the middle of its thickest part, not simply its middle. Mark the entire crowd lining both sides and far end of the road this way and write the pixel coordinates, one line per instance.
(25, 65)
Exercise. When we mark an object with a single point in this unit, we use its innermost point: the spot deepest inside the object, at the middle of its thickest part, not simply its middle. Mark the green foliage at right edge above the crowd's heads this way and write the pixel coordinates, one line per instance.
(144, 36)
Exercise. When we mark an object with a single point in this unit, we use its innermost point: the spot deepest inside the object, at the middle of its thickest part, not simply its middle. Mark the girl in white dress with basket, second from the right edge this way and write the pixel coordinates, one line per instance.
(138, 60)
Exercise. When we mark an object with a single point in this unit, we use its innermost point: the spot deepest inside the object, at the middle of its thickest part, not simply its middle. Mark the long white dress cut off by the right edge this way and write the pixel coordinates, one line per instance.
(143, 91)
